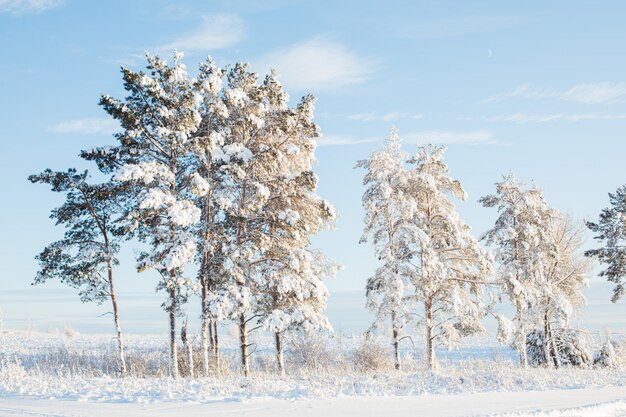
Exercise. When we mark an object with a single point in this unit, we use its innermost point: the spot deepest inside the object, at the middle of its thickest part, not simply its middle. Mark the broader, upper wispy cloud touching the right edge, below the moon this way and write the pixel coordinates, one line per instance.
(594, 93)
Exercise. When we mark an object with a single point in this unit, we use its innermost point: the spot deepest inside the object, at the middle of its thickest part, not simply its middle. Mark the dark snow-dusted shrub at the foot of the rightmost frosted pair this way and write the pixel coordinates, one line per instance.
(571, 347)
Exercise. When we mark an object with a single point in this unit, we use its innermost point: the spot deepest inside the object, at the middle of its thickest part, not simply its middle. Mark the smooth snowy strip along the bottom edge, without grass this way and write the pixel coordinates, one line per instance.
(605, 402)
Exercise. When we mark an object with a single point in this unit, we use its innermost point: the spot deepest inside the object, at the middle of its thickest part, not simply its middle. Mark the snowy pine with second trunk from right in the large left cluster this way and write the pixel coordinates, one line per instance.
(245, 163)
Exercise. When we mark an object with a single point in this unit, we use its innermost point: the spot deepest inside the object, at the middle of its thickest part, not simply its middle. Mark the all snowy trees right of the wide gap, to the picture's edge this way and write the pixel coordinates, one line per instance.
(435, 275)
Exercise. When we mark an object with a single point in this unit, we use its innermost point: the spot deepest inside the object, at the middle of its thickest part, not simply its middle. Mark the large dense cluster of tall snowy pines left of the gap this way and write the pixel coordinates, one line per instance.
(212, 172)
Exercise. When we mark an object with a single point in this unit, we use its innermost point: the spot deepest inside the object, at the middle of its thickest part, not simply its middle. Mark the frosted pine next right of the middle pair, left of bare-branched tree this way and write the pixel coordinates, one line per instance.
(523, 249)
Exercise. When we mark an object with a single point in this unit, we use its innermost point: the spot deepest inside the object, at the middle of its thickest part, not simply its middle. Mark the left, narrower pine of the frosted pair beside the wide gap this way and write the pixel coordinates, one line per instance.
(388, 222)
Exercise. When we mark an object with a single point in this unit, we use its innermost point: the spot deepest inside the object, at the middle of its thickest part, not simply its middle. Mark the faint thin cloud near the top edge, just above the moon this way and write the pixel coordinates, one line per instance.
(460, 26)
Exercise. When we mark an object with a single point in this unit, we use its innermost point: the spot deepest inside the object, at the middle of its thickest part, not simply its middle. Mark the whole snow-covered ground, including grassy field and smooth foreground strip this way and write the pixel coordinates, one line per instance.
(67, 374)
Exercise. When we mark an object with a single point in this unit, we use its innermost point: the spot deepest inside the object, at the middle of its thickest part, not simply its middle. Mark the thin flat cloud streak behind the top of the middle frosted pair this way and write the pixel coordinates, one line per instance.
(477, 137)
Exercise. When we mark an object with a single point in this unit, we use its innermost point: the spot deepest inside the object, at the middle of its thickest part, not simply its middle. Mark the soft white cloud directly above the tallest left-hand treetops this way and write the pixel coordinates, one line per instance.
(216, 32)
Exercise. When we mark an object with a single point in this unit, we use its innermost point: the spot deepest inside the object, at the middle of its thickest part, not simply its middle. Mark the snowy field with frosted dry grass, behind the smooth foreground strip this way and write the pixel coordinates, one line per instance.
(82, 368)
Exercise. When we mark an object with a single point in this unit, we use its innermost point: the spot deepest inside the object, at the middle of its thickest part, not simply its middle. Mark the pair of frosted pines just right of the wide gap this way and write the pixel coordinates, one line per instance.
(428, 255)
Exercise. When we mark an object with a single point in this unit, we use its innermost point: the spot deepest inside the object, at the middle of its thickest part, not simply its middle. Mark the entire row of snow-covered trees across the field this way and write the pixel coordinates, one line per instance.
(213, 175)
